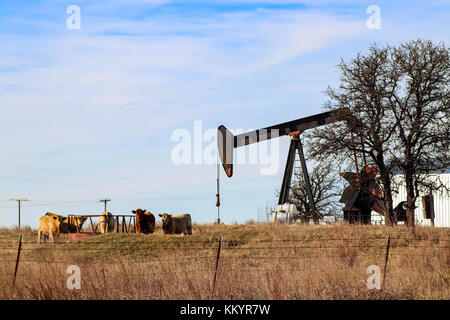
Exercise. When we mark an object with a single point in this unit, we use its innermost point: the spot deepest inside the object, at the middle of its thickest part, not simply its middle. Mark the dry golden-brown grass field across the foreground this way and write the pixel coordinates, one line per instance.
(313, 262)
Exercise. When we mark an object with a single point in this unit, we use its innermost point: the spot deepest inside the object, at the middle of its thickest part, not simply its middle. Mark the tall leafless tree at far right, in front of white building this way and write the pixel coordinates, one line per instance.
(421, 106)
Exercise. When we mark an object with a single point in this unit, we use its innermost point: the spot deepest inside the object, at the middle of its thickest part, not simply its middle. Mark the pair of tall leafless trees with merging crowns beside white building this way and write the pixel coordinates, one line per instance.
(397, 102)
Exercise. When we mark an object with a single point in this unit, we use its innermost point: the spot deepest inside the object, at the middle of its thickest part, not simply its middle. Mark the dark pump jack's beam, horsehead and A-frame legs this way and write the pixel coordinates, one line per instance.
(226, 142)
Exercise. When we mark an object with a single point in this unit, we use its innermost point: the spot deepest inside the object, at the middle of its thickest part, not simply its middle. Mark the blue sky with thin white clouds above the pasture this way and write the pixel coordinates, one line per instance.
(87, 114)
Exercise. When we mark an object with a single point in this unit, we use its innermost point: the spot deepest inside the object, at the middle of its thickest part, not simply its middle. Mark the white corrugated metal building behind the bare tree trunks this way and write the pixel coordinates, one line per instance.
(441, 202)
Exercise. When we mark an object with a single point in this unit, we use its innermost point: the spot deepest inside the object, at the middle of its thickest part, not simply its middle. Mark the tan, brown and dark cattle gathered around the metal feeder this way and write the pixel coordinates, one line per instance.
(52, 224)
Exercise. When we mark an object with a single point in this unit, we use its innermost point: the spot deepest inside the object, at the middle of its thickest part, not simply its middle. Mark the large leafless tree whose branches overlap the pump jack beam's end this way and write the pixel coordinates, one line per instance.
(367, 85)
